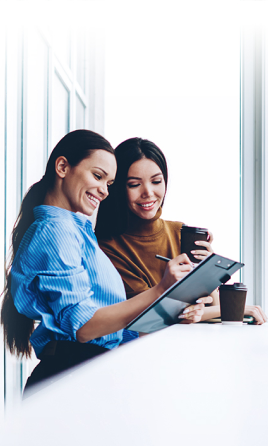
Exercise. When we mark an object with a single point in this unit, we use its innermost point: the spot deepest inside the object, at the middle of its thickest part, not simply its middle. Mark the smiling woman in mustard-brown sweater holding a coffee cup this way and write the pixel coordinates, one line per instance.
(136, 232)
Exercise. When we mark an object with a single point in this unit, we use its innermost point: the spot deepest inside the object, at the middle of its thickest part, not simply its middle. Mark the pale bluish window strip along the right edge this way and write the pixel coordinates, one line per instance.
(254, 84)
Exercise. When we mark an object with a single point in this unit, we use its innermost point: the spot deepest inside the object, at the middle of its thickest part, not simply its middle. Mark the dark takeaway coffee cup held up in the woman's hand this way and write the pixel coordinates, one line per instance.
(190, 234)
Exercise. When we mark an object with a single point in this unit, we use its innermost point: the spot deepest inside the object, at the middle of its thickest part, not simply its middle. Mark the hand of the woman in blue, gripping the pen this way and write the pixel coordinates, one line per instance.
(176, 269)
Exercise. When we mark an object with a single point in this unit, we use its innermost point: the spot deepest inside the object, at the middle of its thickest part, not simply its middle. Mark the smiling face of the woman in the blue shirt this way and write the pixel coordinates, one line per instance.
(86, 185)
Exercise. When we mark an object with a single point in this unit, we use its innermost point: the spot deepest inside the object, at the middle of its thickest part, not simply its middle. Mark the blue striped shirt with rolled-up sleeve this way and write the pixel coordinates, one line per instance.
(61, 277)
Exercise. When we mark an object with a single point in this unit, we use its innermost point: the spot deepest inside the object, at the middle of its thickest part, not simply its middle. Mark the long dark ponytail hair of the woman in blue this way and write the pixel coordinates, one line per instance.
(75, 146)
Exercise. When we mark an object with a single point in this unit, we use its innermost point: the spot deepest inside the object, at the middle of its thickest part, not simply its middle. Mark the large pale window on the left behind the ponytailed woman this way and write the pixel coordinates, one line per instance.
(48, 90)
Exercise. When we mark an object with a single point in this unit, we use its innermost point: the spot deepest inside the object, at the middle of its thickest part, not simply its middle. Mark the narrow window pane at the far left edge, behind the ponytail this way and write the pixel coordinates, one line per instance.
(12, 187)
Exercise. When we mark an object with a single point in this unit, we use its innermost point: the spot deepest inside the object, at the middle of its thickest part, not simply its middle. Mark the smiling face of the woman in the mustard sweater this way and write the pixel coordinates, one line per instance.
(145, 188)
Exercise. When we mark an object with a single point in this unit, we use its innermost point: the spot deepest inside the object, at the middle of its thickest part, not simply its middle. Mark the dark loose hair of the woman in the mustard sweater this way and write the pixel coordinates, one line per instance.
(115, 209)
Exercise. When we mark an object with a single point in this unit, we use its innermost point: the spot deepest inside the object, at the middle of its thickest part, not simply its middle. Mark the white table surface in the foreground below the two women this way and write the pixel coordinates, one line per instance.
(196, 384)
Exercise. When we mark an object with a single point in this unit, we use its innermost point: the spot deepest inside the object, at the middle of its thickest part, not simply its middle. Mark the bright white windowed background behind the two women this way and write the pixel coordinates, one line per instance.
(189, 76)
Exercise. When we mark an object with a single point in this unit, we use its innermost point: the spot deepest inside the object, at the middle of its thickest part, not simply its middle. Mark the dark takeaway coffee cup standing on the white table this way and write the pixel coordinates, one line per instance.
(232, 303)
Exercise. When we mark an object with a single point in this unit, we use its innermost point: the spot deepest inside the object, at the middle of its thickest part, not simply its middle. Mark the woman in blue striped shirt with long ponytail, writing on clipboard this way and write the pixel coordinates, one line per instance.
(58, 274)
